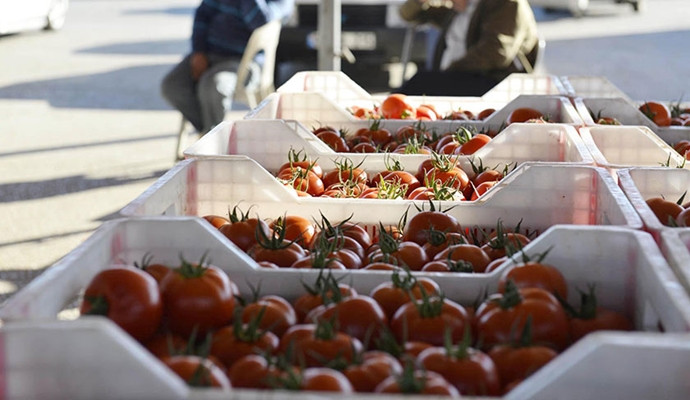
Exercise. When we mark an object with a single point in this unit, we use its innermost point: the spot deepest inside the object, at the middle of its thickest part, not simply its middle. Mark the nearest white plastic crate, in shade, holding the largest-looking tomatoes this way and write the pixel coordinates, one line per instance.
(625, 265)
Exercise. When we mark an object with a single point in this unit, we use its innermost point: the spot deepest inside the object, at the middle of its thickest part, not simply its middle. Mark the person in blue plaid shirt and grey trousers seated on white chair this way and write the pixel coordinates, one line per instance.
(201, 86)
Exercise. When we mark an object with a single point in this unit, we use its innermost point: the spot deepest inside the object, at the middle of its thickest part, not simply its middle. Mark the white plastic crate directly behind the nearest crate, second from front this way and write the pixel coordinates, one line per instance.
(539, 194)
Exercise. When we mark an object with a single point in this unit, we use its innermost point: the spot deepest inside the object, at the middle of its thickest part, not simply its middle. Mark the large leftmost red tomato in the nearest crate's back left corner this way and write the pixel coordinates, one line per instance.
(129, 297)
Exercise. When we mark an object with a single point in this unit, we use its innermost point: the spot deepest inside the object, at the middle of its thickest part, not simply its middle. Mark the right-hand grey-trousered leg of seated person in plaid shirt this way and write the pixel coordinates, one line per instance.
(215, 91)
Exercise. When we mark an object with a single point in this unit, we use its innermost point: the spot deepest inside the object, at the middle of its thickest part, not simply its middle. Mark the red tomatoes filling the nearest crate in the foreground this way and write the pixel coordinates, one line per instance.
(404, 336)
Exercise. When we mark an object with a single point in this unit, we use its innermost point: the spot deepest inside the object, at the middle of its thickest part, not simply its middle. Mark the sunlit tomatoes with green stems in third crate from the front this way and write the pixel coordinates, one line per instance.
(437, 178)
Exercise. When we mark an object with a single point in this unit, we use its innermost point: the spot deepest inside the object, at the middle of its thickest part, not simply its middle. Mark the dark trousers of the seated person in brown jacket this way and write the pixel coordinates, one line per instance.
(447, 83)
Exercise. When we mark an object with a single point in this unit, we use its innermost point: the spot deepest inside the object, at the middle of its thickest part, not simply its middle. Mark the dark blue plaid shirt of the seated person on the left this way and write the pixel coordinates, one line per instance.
(223, 27)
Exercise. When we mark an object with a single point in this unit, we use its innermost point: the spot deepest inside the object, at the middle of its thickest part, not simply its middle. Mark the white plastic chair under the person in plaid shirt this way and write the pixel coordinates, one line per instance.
(264, 39)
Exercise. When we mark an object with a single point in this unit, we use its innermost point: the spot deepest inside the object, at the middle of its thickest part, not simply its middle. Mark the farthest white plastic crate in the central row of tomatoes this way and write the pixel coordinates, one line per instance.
(345, 90)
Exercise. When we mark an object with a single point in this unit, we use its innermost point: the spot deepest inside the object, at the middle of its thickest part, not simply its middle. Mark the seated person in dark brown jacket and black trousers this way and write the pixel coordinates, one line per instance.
(501, 38)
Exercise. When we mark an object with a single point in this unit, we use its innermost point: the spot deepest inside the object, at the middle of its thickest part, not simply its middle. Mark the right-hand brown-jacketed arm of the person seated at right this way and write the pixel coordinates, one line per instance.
(500, 39)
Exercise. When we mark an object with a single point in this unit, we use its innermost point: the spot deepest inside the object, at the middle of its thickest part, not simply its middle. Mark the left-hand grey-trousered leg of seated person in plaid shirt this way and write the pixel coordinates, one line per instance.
(179, 90)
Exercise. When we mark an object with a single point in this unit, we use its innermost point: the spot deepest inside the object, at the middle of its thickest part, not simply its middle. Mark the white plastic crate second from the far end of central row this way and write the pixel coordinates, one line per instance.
(316, 108)
